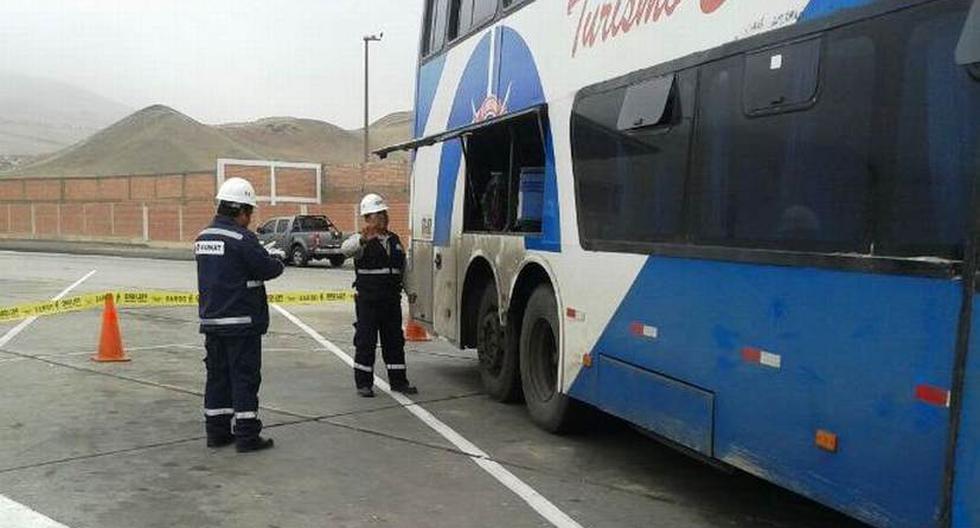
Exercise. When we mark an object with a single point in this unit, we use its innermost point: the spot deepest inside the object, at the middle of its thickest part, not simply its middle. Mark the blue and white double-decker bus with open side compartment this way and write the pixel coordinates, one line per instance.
(748, 227)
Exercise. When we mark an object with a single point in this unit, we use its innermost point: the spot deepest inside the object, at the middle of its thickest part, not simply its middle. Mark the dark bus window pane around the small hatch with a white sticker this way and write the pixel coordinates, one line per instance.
(797, 180)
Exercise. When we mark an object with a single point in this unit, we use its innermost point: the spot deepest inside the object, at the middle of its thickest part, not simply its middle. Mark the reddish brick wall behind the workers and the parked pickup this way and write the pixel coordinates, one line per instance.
(173, 208)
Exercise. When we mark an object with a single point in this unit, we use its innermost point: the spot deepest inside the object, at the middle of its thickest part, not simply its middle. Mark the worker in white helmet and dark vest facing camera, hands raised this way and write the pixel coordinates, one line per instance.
(379, 263)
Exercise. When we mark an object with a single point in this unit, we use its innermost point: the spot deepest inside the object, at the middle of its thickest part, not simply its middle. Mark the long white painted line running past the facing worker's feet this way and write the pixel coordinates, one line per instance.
(535, 500)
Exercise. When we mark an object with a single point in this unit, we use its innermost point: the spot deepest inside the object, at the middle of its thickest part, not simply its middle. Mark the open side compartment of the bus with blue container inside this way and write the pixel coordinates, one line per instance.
(504, 177)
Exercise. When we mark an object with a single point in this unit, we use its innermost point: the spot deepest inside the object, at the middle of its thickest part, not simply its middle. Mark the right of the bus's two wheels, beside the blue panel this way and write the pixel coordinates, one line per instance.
(539, 361)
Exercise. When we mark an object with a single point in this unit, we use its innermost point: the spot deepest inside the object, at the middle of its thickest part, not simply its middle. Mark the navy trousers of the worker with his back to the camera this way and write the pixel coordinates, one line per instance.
(234, 366)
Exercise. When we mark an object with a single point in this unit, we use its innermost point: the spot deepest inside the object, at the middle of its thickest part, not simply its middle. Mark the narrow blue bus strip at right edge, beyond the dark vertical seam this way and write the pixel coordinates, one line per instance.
(966, 490)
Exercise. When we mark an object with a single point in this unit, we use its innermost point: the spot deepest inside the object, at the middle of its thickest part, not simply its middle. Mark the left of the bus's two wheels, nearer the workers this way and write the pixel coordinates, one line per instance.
(498, 362)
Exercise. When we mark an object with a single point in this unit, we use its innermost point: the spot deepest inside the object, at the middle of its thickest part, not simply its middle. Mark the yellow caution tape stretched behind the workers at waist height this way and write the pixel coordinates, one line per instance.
(153, 298)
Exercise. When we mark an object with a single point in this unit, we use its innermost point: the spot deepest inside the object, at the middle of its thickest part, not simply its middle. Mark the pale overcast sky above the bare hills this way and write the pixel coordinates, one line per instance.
(221, 60)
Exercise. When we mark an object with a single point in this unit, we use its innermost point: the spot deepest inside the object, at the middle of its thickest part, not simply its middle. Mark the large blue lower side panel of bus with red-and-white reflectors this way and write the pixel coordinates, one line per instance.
(788, 352)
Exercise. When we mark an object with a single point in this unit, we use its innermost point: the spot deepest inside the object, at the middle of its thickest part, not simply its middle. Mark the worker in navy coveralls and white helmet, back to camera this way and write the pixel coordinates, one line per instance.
(231, 269)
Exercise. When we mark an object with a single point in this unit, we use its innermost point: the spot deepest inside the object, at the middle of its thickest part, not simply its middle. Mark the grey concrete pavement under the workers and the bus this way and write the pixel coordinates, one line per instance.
(122, 445)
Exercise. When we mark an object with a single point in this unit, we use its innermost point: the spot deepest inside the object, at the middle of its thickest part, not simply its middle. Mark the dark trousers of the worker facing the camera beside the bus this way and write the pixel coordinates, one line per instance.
(374, 318)
